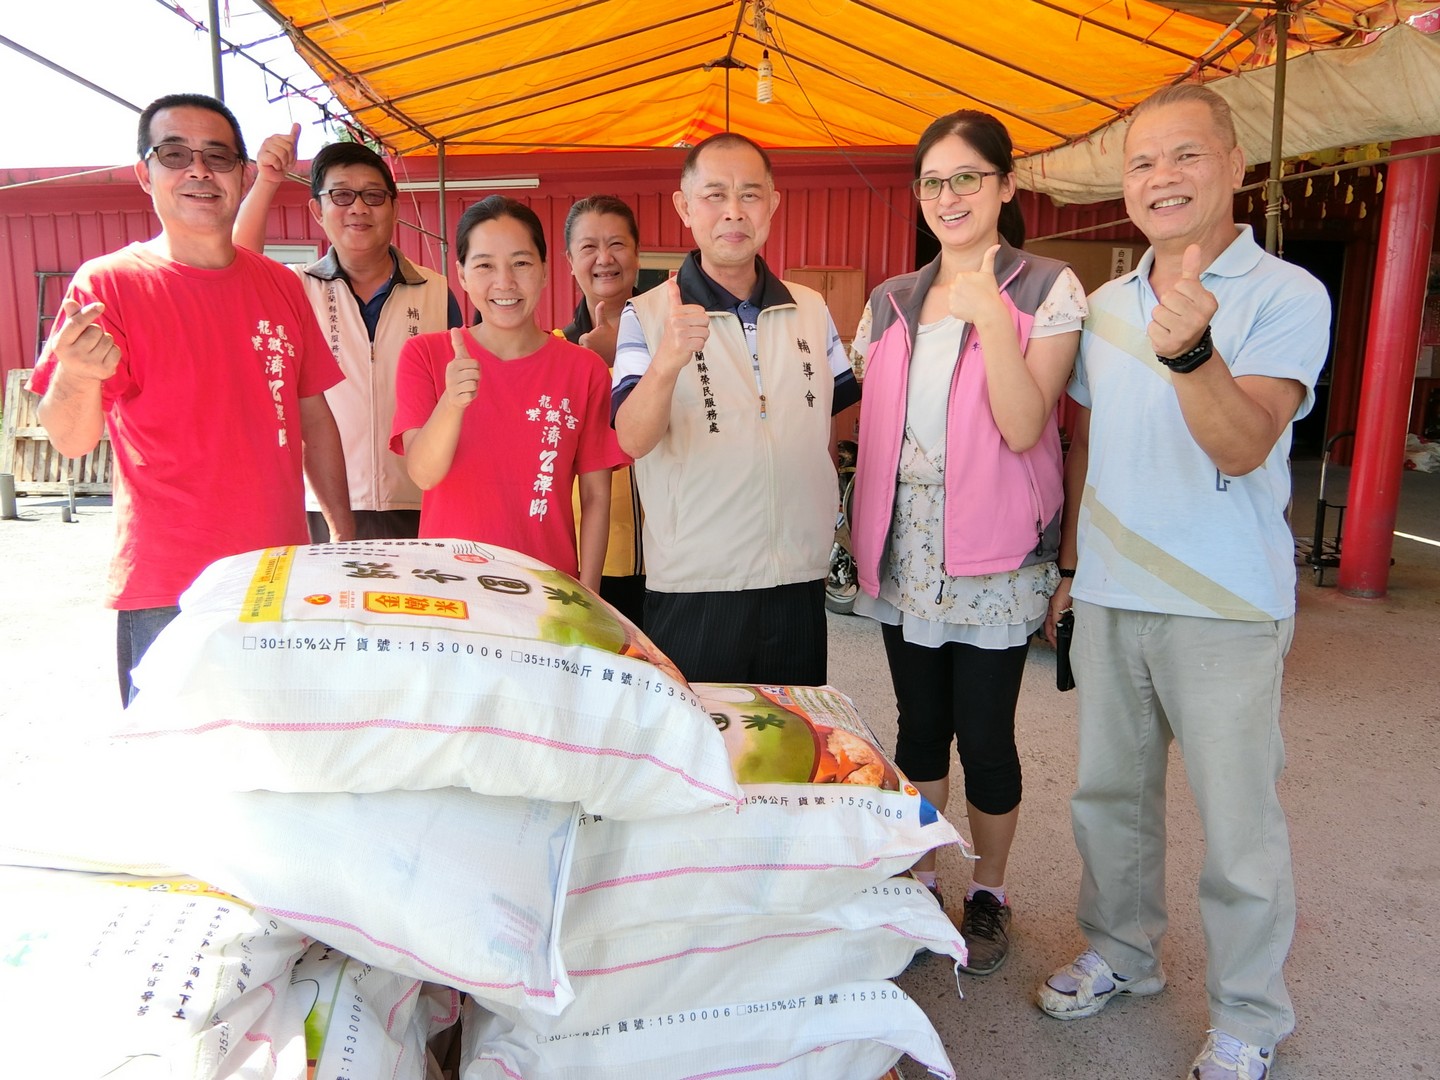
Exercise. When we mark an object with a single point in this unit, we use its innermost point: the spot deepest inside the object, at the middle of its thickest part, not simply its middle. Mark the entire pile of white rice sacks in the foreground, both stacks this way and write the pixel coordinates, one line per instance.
(437, 767)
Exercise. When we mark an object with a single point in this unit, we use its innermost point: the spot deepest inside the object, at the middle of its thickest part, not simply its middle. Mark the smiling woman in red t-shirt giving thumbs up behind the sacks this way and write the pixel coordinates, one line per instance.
(498, 421)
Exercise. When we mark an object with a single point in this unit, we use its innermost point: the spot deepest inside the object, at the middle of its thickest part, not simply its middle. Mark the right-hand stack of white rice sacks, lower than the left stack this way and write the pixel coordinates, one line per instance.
(757, 940)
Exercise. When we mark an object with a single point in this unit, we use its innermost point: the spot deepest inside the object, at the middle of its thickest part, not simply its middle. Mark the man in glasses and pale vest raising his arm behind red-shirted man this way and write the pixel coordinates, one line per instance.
(369, 300)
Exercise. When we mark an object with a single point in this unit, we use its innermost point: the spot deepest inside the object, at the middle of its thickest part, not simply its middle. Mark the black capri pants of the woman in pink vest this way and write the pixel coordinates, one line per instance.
(967, 695)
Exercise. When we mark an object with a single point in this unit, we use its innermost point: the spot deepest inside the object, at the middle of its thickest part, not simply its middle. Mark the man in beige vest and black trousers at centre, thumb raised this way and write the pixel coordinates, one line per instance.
(725, 384)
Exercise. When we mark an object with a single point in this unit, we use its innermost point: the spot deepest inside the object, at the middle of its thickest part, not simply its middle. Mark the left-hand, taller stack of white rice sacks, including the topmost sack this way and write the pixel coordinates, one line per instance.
(382, 747)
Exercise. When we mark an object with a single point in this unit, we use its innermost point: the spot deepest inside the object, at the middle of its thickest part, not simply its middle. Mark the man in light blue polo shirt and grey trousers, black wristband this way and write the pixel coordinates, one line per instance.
(1192, 372)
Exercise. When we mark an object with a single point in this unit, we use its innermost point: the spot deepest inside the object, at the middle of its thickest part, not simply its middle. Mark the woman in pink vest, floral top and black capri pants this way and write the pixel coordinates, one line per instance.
(958, 490)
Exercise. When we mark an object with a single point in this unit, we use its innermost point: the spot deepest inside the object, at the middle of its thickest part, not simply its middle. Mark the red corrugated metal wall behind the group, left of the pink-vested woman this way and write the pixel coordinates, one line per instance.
(832, 214)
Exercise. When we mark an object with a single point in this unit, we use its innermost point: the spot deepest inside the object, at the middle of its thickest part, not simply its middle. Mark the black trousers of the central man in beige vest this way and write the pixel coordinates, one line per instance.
(754, 636)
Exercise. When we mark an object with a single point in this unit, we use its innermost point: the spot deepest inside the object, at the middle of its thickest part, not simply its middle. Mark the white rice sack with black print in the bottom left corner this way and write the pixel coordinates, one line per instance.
(171, 970)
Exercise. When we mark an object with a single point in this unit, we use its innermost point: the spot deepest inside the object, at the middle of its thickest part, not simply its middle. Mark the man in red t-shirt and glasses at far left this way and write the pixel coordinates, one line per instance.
(208, 368)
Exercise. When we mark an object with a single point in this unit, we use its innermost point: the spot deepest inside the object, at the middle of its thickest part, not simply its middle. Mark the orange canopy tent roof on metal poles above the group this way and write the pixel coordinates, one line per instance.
(633, 74)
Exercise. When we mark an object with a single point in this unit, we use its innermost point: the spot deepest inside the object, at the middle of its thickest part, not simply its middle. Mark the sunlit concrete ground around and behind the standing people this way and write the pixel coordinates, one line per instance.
(1362, 793)
